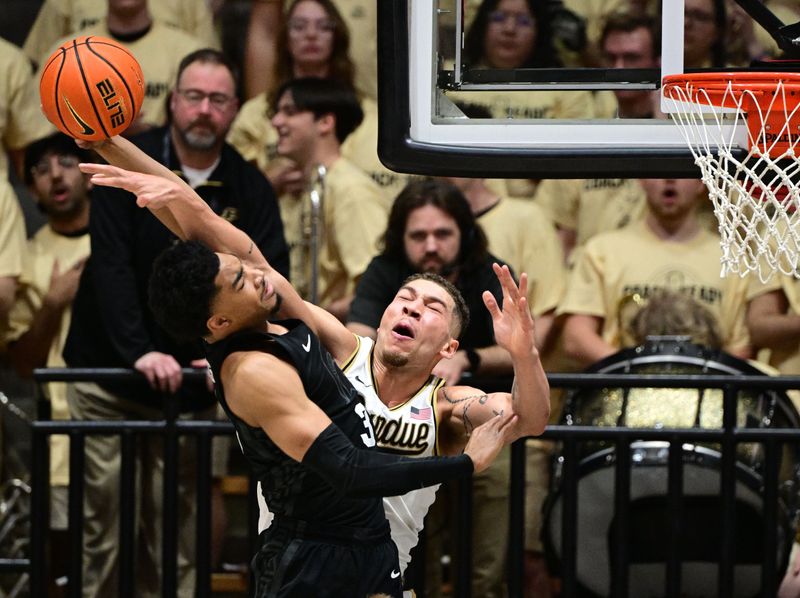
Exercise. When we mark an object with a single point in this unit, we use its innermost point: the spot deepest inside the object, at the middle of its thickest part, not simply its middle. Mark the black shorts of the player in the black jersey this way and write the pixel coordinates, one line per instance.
(300, 561)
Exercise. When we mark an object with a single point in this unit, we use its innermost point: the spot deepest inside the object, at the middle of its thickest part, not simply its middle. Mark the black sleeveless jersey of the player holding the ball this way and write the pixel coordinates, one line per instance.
(289, 488)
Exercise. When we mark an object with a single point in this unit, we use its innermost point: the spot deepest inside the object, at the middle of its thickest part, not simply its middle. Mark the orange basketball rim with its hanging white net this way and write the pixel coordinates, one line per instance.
(756, 197)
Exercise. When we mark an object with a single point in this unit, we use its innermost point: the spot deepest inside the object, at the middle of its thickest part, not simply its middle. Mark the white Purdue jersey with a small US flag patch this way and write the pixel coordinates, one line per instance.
(408, 429)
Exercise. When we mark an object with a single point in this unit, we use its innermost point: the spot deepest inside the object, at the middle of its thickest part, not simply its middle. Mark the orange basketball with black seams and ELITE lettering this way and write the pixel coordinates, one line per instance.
(91, 88)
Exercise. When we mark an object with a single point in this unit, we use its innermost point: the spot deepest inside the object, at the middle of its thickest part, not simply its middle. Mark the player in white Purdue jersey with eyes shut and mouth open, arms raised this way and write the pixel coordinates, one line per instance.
(413, 413)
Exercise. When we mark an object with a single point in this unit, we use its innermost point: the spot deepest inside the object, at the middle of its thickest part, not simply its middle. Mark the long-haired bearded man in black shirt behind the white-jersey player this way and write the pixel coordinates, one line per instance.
(432, 229)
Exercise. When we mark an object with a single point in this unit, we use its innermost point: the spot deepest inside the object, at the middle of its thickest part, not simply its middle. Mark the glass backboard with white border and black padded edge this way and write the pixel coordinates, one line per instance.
(450, 105)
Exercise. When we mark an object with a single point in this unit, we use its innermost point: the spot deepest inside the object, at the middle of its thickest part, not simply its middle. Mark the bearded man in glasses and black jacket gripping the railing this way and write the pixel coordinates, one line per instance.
(113, 327)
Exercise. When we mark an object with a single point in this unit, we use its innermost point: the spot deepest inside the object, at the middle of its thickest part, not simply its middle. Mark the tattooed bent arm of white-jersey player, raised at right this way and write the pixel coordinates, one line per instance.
(466, 407)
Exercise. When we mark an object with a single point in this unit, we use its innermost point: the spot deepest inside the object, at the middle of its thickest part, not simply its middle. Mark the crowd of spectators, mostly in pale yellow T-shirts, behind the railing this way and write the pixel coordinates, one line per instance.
(594, 250)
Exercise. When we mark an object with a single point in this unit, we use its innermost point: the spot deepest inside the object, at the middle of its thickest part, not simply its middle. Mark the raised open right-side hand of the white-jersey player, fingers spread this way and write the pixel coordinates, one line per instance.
(513, 325)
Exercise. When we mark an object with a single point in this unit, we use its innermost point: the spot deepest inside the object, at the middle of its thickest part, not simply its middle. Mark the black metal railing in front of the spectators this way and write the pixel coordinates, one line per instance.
(727, 438)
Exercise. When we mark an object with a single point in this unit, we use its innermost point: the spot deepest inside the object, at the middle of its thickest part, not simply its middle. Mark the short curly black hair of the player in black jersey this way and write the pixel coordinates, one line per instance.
(182, 289)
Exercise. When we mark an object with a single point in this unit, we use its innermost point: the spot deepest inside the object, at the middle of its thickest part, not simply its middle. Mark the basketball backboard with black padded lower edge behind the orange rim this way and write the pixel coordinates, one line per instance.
(427, 85)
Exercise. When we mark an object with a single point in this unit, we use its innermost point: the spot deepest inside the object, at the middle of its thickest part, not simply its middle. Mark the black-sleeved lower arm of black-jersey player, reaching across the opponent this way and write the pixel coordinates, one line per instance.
(266, 392)
